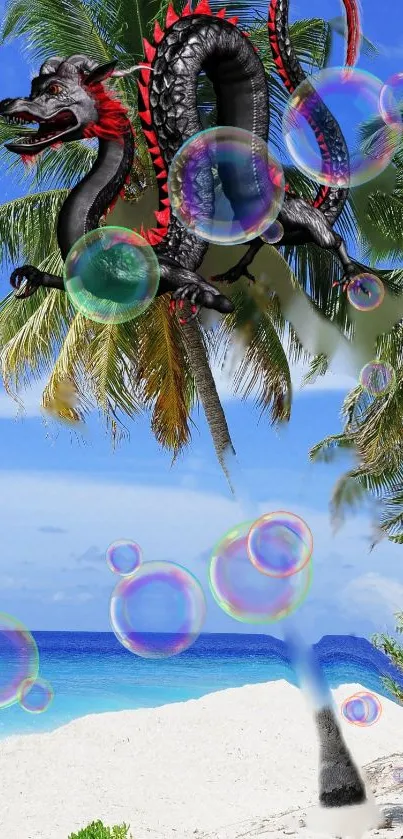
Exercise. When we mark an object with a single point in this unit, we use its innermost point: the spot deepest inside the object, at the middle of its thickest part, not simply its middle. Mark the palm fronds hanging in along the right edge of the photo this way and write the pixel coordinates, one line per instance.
(372, 430)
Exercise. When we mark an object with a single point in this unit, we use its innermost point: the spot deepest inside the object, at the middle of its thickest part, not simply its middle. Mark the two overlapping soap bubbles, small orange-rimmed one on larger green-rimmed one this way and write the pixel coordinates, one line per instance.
(261, 570)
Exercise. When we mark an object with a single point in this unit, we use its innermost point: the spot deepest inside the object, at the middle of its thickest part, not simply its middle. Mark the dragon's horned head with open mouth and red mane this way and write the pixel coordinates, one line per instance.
(68, 102)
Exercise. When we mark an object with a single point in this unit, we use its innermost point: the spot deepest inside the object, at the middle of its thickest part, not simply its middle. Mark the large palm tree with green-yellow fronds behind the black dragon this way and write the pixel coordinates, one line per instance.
(150, 363)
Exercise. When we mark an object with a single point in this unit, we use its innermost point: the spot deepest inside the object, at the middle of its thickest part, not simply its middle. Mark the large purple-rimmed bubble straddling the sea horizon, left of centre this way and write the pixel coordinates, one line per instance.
(159, 611)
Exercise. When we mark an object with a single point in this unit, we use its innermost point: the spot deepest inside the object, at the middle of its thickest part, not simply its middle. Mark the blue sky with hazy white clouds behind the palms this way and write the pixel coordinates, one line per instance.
(64, 501)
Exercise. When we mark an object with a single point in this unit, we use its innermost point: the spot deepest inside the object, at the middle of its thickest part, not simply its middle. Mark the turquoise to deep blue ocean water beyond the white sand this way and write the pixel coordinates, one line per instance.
(91, 673)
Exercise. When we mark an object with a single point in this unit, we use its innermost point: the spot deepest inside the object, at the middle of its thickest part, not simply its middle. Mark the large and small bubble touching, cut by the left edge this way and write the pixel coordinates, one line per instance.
(19, 669)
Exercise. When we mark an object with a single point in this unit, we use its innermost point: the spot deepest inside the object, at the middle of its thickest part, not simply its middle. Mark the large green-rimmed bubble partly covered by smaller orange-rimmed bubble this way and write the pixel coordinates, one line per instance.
(243, 592)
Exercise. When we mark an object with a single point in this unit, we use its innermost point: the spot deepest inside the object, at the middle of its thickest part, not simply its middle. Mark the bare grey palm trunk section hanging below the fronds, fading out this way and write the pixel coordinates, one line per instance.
(208, 395)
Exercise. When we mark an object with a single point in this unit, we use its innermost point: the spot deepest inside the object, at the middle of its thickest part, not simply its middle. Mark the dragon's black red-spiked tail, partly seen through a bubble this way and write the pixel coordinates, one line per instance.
(330, 139)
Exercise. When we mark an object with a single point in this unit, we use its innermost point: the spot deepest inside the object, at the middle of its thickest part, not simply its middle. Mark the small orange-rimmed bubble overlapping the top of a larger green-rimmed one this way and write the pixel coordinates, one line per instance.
(279, 544)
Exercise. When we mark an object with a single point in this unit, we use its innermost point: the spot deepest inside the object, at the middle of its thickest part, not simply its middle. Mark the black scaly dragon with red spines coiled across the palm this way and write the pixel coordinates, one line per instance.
(70, 100)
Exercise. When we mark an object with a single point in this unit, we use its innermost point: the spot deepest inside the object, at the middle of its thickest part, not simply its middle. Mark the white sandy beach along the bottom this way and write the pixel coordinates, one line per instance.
(239, 763)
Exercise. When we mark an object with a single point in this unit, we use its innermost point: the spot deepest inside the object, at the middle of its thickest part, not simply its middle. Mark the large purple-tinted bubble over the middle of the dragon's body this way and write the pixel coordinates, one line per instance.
(225, 186)
